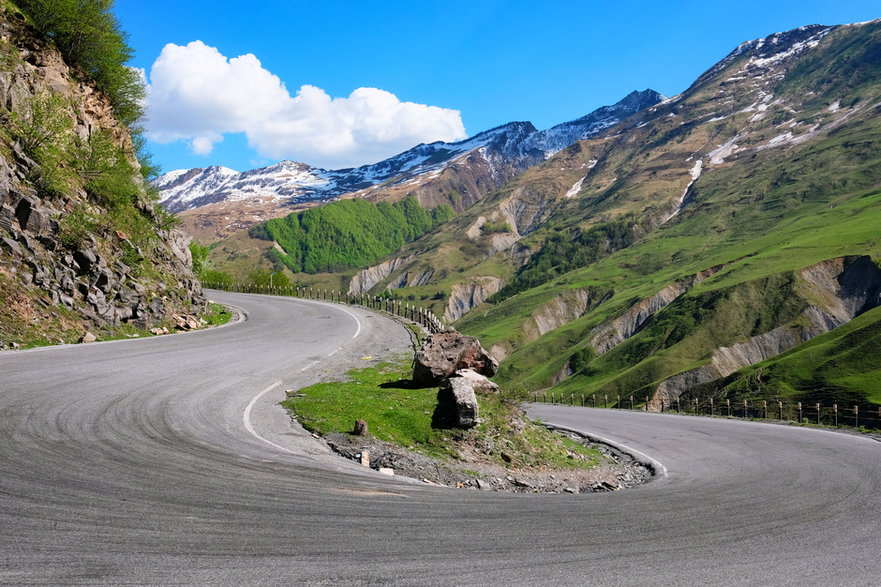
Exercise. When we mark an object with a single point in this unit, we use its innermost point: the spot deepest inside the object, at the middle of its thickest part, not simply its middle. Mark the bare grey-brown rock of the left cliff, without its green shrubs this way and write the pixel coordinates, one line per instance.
(104, 276)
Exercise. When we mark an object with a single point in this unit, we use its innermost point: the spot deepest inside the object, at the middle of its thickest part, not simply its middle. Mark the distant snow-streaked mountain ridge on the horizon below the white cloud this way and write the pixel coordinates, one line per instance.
(496, 154)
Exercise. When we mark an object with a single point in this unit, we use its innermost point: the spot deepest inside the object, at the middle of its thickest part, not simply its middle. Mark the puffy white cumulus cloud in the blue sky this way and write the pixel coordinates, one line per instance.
(197, 94)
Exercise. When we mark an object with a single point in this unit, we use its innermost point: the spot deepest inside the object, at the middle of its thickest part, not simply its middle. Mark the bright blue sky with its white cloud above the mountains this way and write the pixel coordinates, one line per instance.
(426, 70)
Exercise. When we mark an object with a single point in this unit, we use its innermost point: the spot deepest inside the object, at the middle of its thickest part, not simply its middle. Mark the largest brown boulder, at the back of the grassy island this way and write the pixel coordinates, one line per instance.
(446, 352)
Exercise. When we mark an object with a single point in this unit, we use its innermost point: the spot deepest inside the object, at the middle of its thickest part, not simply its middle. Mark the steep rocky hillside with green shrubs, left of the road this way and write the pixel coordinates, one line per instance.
(75, 252)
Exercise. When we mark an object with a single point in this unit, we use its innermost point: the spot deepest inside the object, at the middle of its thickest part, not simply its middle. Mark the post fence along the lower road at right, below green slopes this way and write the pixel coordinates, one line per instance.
(867, 416)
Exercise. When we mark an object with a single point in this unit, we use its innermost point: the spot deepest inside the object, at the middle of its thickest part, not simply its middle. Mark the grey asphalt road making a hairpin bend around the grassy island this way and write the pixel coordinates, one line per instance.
(166, 460)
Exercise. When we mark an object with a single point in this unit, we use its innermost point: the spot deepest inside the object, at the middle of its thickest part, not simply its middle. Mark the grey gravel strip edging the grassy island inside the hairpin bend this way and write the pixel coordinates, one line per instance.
(618, 471)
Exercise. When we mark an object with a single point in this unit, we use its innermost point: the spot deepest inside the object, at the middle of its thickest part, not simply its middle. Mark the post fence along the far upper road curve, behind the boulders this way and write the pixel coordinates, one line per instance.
(425, 318)
